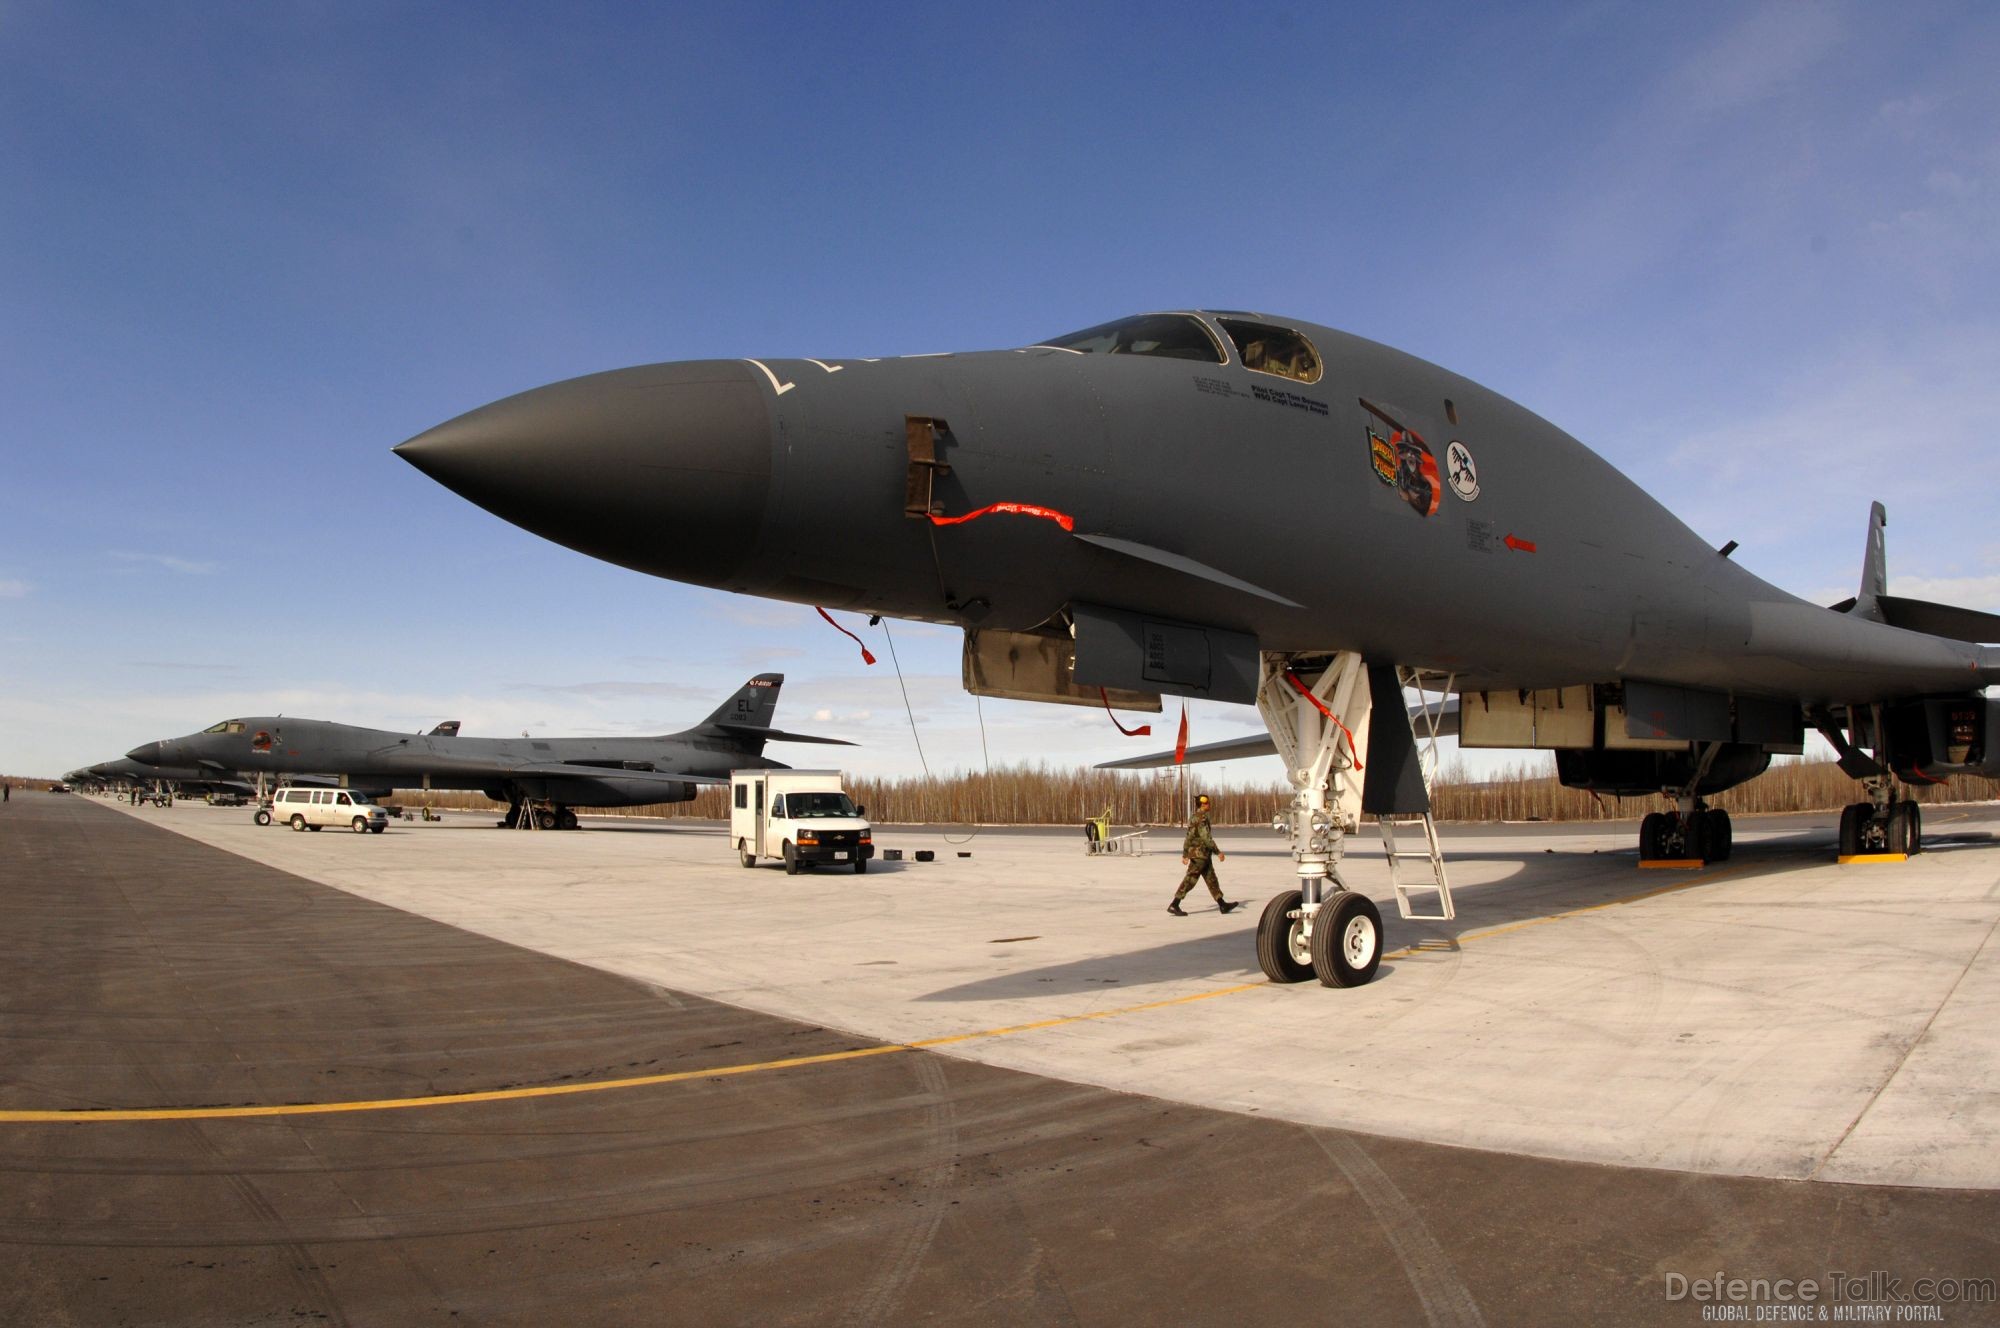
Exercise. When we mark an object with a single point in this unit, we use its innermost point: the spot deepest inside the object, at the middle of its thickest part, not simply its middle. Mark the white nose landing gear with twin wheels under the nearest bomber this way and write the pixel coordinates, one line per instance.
(1321, 929)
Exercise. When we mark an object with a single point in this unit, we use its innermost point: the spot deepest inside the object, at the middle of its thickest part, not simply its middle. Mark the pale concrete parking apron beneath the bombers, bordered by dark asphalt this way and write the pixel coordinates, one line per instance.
(1769, 1017)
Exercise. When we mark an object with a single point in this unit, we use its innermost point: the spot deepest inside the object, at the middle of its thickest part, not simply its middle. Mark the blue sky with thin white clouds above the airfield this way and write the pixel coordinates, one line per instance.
(1745, 251)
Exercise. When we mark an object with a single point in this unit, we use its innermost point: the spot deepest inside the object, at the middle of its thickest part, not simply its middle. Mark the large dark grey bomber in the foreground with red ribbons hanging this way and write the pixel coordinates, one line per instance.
(1255, 509)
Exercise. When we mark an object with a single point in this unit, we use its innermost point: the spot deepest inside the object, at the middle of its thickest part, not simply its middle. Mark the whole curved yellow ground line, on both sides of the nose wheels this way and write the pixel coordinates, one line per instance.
(679, 1077)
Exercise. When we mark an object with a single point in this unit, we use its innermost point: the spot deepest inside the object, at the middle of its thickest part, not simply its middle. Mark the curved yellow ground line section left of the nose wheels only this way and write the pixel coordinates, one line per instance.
(565, 1091)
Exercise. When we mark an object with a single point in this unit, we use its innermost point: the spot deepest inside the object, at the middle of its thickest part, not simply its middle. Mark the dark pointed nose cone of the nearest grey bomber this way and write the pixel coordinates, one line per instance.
(663, 469)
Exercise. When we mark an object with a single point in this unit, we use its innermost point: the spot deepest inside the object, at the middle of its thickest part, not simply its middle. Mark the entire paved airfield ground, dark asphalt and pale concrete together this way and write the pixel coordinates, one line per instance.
(487, 1131)
